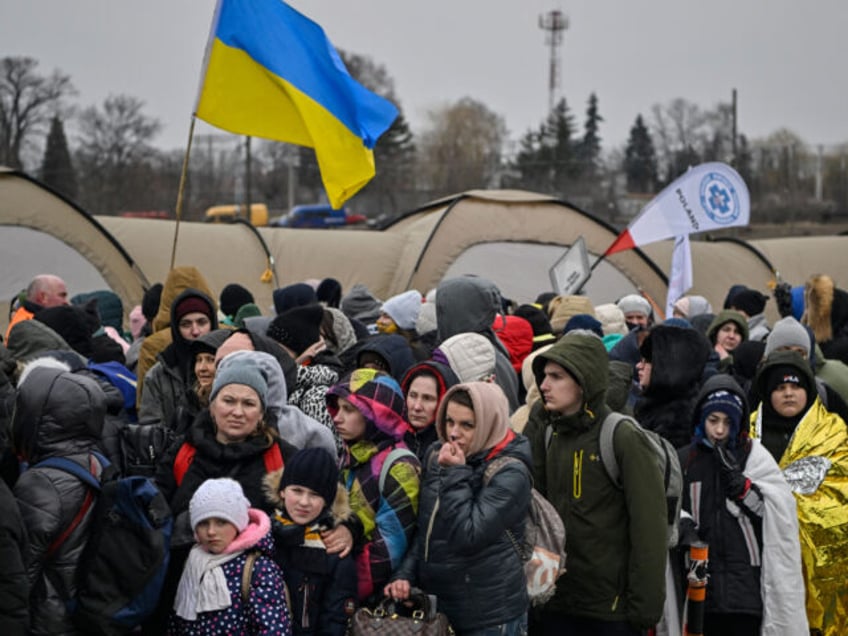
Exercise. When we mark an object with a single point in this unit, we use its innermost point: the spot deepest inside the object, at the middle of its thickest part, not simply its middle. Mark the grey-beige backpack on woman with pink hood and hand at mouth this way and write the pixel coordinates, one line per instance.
(543, 548)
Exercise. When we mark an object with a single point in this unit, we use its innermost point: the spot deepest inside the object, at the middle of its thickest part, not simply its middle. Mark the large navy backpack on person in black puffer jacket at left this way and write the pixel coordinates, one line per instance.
(123, 565)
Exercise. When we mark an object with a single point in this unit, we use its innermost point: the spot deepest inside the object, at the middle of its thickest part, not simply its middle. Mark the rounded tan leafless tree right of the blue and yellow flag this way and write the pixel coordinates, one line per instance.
(461, 148)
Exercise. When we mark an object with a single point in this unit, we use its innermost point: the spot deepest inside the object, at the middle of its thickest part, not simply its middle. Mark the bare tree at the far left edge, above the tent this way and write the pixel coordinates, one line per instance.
(28, 101)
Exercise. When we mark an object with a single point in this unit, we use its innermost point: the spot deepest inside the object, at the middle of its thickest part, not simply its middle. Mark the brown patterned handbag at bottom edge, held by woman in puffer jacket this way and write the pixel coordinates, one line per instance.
(391, 618)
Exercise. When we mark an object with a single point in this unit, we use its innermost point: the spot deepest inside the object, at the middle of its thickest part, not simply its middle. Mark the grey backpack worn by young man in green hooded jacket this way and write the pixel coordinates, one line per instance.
(666, 458)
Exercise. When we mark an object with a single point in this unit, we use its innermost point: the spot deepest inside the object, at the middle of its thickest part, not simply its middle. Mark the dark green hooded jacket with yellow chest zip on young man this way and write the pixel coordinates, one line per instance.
(615, 538)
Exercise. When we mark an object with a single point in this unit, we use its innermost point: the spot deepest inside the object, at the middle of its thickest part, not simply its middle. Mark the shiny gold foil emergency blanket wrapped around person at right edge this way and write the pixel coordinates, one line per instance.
(816, 465)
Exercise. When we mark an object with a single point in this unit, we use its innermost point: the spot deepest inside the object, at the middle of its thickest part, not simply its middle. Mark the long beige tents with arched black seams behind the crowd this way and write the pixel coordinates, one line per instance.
(511, 237)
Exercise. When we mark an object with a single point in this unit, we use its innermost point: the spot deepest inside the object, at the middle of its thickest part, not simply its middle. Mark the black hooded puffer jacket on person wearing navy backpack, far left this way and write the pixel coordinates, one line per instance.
(57, 414)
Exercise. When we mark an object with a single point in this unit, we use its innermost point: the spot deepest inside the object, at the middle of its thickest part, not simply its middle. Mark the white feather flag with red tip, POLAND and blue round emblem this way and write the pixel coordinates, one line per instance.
(711, 196)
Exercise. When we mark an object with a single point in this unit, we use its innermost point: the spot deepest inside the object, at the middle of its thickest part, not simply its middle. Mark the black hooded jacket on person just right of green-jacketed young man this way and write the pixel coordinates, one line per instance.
(678, 356)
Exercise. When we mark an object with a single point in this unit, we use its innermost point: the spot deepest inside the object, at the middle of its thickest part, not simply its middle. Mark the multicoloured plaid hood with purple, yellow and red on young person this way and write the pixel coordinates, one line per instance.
(377, 396)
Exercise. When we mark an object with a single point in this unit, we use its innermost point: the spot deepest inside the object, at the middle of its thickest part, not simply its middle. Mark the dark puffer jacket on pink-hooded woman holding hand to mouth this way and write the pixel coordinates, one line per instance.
(462, 552)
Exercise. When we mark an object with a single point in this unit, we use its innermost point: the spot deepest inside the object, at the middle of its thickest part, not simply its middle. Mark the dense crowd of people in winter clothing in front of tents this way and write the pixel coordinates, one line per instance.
(336, 449)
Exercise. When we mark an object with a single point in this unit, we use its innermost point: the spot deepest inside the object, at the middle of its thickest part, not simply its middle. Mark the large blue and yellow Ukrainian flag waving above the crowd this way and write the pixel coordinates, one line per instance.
(271, 72)
